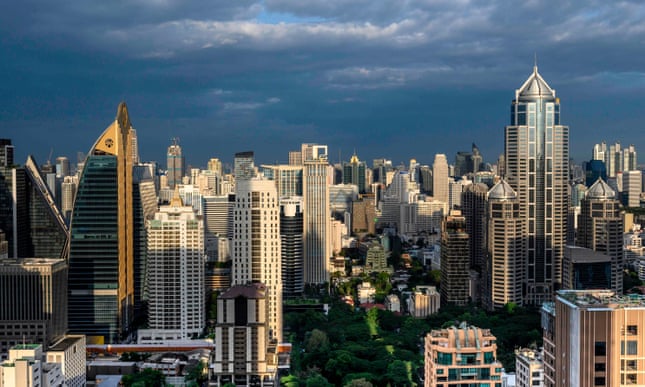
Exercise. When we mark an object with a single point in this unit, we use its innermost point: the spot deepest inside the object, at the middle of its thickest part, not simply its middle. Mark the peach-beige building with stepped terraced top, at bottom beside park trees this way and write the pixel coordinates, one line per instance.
(464, 355)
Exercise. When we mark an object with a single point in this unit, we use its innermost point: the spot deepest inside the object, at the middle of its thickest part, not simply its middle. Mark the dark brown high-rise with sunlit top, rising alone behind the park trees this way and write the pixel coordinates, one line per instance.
(455, 261)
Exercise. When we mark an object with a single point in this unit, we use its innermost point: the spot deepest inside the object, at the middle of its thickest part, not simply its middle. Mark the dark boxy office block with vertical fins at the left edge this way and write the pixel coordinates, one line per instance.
(33, 301)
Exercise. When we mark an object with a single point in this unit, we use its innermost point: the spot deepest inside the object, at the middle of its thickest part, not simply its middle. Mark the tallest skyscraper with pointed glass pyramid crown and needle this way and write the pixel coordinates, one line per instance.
(537, 168)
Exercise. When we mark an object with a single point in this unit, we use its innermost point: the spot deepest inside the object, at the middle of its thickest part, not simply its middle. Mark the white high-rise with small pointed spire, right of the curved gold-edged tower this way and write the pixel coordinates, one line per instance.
(176, 271)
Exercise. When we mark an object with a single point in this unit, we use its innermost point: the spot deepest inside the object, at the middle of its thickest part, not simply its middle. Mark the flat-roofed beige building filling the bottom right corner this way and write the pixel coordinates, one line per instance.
(594, 338)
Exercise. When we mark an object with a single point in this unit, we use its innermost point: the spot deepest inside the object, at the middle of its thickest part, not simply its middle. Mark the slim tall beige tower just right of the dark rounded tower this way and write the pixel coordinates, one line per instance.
(317, 244)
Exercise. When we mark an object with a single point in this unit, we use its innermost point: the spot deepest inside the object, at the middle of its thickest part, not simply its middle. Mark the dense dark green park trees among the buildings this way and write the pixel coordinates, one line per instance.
(354, 347)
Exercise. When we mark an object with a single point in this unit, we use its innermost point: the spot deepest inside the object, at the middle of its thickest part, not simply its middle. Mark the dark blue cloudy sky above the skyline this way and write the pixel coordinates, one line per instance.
(390, 78)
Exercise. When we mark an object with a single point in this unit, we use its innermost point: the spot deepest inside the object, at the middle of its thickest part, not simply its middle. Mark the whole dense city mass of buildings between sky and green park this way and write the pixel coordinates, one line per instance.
(125, 252)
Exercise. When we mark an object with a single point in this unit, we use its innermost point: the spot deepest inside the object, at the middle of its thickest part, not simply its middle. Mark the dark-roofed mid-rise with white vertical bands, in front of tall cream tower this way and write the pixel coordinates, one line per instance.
(243, 354)
